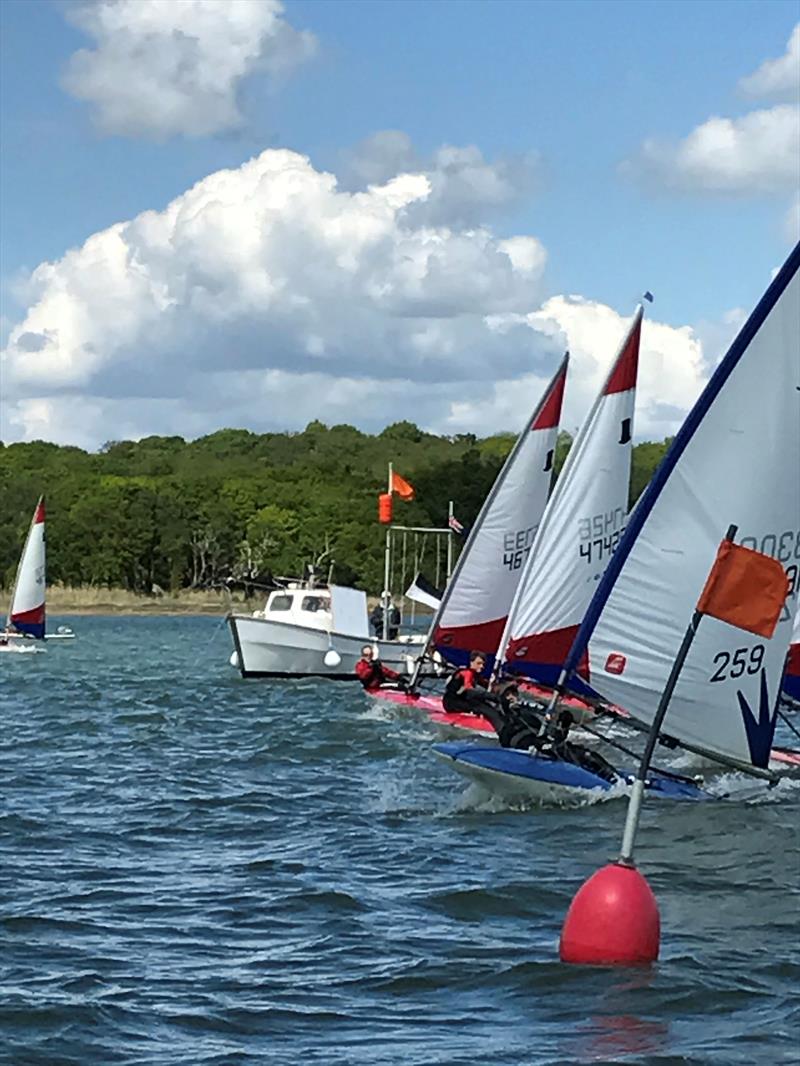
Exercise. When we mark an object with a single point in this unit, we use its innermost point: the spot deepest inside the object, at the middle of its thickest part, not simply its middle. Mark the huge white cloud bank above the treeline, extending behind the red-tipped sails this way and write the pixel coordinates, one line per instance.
(268, 296)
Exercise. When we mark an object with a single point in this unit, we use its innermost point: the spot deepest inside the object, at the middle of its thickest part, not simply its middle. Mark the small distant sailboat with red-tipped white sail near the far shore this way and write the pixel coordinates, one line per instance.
(26, 621)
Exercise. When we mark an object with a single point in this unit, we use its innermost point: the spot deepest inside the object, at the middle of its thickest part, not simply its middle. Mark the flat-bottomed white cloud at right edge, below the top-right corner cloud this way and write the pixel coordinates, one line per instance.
(759, 153)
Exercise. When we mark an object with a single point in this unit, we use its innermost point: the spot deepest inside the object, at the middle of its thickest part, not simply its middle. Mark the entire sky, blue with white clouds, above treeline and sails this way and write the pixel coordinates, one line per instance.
(247, 214)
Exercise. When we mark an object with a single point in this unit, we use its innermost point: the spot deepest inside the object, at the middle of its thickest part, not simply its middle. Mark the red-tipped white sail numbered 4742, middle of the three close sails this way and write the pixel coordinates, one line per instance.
(581, 528)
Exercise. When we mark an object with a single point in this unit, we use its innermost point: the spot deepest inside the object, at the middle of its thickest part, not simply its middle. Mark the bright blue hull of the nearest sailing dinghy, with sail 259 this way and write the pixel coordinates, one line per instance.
(552, 773)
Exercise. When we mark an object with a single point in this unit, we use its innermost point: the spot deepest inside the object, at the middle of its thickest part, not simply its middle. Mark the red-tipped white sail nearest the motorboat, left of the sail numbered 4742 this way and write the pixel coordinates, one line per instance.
(477, 601)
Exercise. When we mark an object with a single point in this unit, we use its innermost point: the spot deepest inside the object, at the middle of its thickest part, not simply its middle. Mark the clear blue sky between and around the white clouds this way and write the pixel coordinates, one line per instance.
(581, 87)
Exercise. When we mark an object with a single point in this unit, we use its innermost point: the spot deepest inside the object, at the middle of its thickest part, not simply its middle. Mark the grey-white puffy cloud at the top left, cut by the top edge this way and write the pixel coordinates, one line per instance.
(168, 68)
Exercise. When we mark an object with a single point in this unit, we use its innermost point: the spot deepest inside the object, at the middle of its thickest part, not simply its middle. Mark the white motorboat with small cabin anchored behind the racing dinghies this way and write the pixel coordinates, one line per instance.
(311, 632)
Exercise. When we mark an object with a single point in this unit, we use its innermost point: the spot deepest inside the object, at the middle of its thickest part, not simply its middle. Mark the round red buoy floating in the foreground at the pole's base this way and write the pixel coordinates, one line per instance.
(613, 922)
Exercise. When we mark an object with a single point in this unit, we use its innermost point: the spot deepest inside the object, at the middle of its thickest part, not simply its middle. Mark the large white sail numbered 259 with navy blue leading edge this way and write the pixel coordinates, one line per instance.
(734, 462)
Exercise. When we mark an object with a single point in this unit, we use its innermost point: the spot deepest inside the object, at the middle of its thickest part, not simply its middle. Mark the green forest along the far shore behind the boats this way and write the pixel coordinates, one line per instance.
(175, 514)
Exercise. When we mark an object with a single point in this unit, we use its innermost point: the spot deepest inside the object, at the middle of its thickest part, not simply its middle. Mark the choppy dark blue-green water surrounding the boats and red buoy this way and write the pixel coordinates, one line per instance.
(200, 870)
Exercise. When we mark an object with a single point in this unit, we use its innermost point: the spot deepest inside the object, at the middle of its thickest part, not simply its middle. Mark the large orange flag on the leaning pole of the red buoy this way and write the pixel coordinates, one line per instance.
(745, 589)
